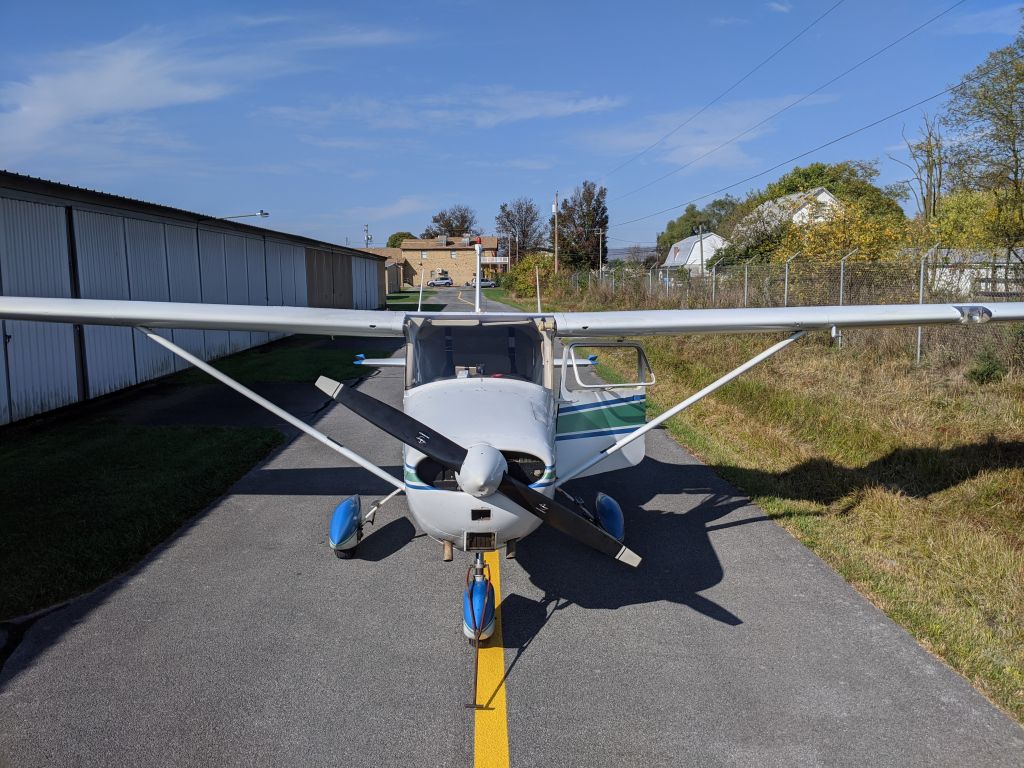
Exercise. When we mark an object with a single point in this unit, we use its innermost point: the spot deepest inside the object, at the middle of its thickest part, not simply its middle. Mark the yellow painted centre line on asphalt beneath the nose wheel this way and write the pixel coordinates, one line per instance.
(491, 743)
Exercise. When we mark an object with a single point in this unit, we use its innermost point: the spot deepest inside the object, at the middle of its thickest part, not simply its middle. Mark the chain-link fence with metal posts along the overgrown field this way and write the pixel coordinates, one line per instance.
(935, 277)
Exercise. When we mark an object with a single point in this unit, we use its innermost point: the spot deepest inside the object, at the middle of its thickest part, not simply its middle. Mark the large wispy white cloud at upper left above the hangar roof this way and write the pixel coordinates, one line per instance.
(91, 91)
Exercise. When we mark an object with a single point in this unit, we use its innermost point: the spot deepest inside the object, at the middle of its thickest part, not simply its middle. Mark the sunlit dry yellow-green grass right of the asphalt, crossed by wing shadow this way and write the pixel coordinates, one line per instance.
(909, 482)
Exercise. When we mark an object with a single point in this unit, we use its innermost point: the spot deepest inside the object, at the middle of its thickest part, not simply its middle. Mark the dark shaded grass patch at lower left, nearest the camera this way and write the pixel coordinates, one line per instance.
(89, 501)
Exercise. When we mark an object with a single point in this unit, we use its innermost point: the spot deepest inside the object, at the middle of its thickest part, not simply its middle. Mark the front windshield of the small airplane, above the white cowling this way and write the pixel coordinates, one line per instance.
(487, 351)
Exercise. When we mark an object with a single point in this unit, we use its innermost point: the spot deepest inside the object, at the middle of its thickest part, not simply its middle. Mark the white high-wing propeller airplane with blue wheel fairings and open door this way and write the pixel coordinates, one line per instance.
(495, 419)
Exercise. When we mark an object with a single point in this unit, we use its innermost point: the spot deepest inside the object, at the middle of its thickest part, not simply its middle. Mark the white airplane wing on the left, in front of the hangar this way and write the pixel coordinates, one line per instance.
(325, 322)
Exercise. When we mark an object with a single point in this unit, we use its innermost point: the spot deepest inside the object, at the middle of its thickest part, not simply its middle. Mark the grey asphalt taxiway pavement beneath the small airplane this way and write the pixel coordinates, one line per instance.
(244, 642)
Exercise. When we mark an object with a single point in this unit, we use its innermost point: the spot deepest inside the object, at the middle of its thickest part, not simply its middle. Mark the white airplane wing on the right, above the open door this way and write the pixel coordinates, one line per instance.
(655, 322)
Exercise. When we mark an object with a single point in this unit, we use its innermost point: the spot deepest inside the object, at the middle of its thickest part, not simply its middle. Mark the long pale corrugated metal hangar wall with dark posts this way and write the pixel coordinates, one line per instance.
(55, 247)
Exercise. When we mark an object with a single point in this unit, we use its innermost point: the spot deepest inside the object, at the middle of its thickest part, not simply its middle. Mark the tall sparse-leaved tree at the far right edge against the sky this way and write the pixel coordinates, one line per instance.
(985, 112)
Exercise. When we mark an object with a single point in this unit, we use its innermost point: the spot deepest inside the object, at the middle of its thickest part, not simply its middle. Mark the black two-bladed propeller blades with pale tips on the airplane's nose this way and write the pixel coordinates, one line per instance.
(572, 521)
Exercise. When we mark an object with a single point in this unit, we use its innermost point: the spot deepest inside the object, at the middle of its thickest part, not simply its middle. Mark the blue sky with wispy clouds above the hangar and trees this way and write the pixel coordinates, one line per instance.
(332, 116)
